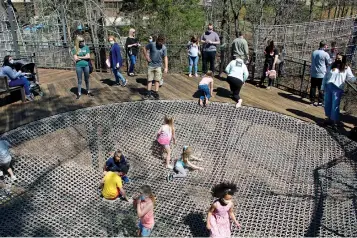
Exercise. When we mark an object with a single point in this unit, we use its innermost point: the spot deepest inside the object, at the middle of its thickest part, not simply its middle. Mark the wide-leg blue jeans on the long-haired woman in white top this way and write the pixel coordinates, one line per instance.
(332, 101)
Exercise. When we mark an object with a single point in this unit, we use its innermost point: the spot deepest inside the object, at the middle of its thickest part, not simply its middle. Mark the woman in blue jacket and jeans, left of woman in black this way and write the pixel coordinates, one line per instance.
(116, 61)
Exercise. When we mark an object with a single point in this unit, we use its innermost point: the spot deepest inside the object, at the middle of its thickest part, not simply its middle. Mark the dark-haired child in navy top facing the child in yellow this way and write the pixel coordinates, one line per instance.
(118, 163)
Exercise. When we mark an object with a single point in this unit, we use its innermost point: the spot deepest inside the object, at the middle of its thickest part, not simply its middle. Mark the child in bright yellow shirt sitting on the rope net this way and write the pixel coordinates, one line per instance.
(112, 186)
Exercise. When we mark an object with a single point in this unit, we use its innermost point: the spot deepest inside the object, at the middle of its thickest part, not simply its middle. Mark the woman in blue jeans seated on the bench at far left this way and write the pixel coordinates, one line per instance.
(15, 78)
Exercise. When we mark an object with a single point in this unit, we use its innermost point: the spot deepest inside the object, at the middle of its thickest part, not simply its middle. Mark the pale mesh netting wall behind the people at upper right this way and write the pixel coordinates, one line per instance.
(300, 40)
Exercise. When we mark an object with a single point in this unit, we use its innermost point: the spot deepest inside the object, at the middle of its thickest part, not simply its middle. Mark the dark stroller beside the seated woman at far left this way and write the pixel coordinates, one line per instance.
(29, 70)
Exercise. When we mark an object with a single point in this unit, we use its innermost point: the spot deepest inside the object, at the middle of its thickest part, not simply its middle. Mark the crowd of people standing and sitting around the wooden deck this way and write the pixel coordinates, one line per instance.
(329, 69)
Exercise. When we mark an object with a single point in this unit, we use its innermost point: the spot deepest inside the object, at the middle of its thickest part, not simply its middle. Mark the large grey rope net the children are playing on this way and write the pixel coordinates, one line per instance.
(294, 178)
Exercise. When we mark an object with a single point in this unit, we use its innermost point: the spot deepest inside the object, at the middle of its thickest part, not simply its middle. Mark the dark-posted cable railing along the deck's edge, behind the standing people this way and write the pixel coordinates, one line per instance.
(293, 74)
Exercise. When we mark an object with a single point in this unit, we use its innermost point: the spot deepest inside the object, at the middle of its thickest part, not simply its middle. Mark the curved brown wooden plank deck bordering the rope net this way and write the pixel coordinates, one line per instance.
(60, 96)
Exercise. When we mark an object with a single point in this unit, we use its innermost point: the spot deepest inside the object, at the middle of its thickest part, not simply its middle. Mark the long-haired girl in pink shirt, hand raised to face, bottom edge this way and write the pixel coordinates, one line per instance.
(145, 209)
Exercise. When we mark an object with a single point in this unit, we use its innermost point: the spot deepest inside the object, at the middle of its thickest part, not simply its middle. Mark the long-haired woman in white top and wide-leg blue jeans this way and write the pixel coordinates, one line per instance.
(332, 85)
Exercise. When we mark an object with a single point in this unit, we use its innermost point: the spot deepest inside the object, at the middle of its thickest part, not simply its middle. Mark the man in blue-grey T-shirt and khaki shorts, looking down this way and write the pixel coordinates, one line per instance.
(157, 52)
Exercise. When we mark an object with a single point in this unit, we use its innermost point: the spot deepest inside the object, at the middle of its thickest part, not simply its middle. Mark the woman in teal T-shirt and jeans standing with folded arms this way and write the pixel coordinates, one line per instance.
(81, 55)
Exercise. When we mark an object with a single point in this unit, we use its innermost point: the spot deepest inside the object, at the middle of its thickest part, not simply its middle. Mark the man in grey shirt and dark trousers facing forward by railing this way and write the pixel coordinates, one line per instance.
(210, 40)
